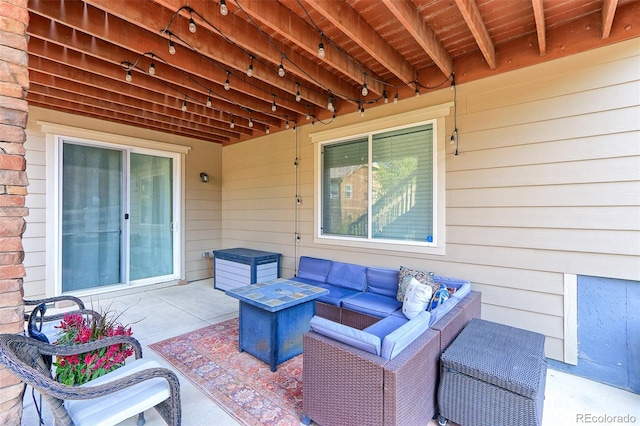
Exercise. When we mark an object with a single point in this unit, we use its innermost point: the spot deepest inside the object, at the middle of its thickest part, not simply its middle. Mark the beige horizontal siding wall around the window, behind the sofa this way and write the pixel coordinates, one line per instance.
(547, 183)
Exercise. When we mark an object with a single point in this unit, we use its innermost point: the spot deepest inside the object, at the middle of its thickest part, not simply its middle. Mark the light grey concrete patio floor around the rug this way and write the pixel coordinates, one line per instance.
(161, 313)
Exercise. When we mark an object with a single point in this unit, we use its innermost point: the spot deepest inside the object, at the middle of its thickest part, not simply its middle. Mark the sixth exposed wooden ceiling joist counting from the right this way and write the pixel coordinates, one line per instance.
(288, 25)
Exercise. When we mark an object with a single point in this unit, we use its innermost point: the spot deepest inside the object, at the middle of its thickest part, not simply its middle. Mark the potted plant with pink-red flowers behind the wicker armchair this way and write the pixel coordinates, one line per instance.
(76, 329)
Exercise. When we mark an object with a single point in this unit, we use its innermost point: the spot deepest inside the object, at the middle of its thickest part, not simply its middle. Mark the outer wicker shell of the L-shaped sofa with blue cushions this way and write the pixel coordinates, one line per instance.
(346, 386)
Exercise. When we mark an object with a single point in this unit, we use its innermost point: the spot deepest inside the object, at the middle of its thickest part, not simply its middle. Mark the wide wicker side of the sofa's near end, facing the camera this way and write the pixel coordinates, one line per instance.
(340, 379)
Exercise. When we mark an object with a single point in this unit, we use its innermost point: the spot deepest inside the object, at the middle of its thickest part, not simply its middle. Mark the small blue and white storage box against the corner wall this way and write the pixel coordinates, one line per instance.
(238, 267)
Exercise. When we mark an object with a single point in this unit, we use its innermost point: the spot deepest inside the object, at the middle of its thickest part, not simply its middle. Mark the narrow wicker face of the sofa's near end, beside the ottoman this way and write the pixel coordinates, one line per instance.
(411, 380)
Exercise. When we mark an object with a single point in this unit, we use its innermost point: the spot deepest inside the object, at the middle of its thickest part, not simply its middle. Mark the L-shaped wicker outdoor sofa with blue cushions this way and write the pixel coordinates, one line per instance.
(365, 362)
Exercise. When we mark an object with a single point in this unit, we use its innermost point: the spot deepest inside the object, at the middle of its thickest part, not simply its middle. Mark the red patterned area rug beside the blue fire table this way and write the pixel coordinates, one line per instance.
(243, 385)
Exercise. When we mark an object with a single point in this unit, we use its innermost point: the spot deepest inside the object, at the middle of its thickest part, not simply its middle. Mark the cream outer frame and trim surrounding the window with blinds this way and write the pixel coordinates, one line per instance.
(436, 116)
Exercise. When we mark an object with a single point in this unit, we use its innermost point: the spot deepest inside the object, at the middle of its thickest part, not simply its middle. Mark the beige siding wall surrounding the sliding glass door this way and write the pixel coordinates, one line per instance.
(202, 200)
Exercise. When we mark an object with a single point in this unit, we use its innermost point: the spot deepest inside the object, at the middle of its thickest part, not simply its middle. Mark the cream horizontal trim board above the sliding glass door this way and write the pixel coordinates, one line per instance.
(86, 134)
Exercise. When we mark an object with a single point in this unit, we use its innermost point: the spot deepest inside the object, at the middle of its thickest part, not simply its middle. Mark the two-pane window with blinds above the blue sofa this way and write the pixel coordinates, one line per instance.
(380, 186)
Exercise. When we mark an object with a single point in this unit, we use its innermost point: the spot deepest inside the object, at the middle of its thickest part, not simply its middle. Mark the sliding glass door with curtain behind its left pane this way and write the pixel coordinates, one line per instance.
(117, 217)
